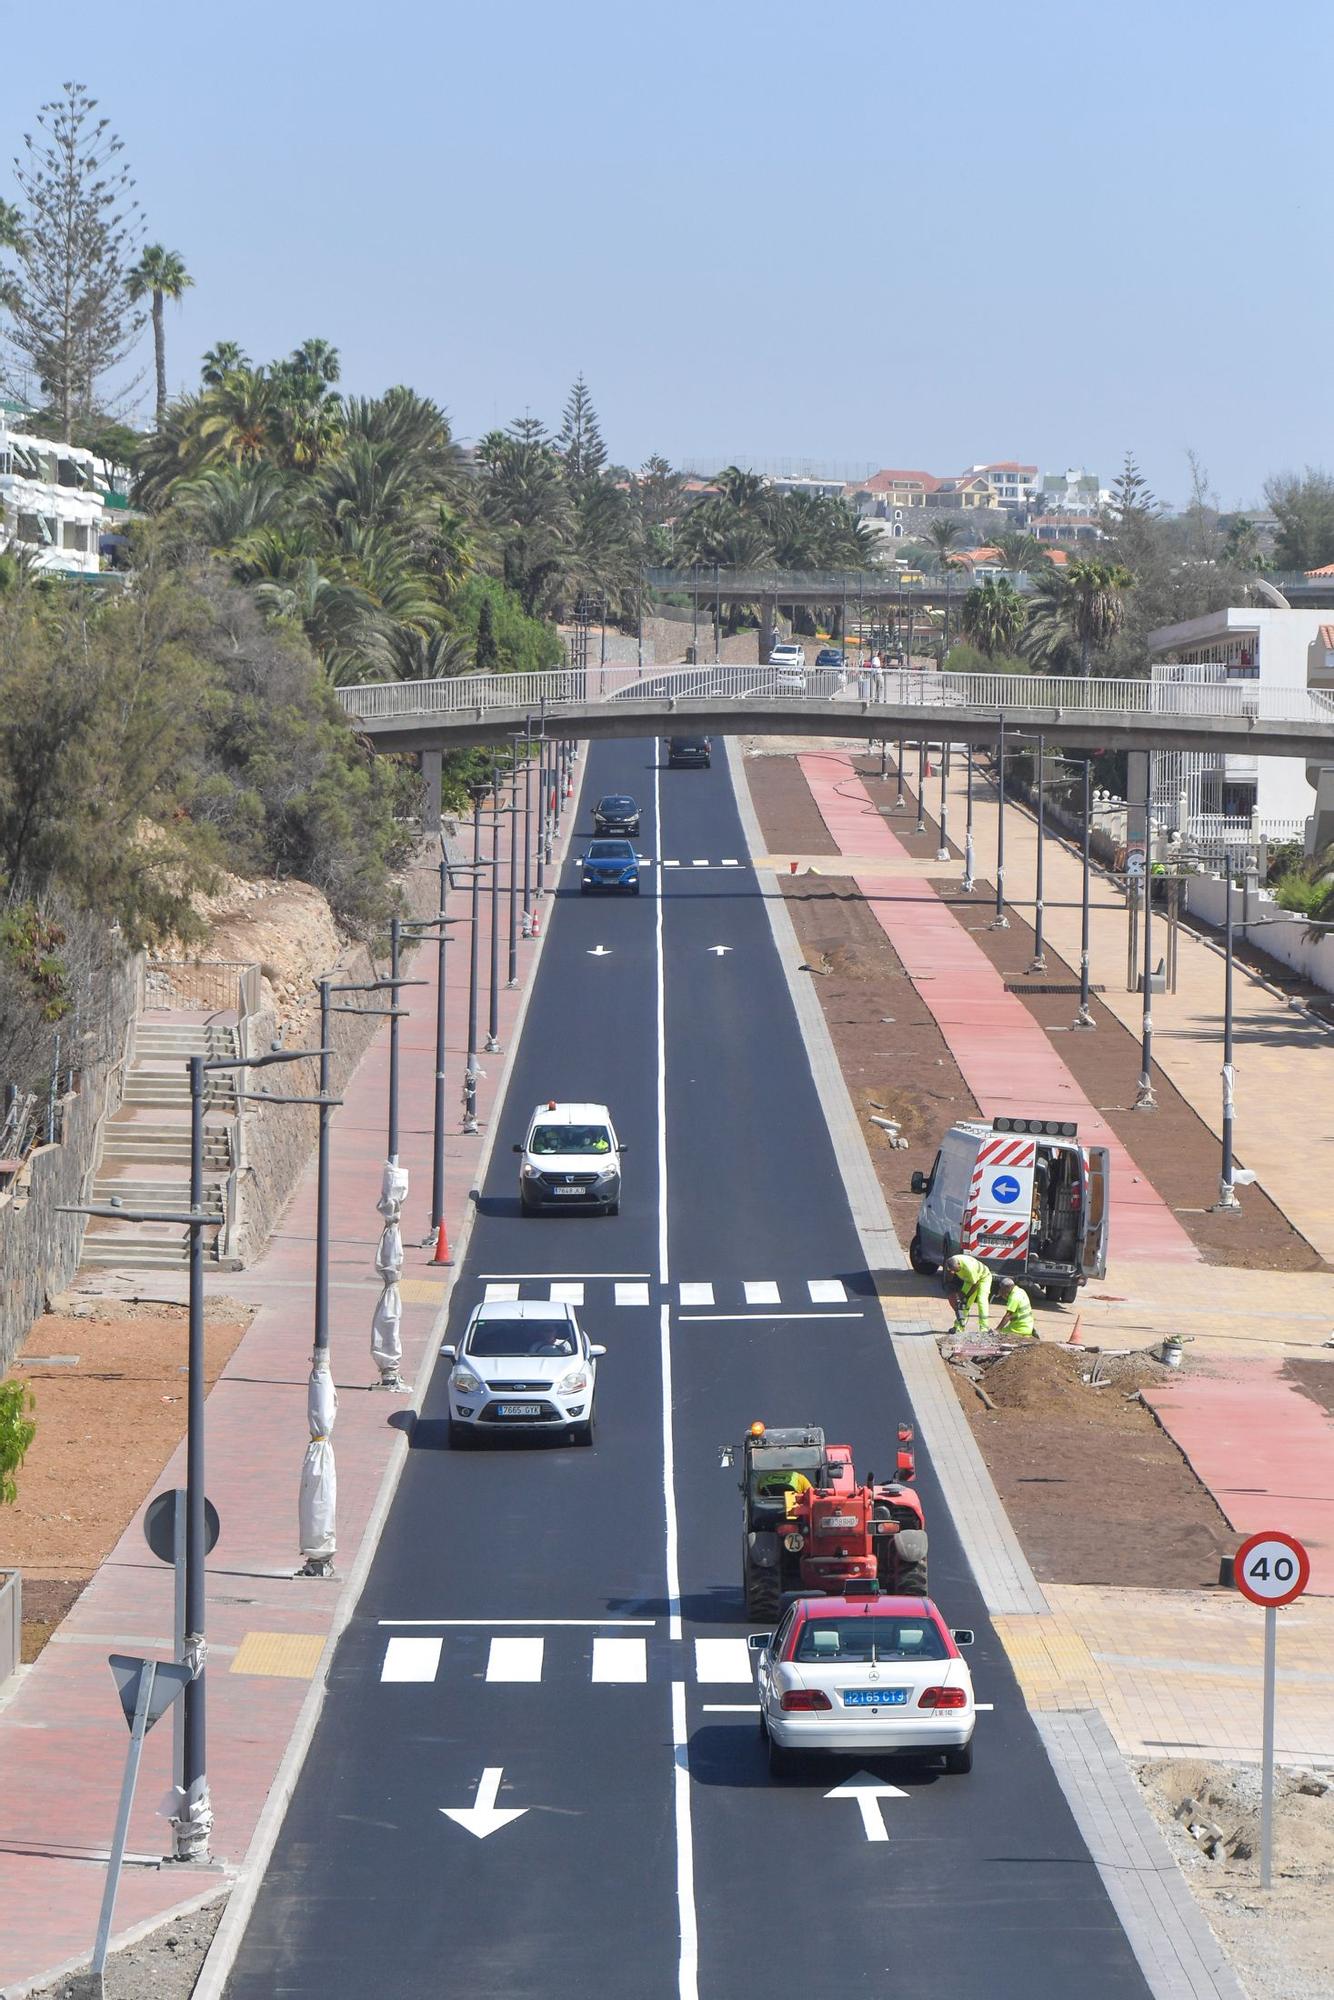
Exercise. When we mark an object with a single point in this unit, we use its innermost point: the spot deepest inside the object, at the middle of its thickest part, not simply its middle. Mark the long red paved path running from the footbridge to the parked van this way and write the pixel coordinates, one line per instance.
(1005, 1057)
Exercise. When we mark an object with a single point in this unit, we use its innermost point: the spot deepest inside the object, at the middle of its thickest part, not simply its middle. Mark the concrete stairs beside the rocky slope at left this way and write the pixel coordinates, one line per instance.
(145, 1159)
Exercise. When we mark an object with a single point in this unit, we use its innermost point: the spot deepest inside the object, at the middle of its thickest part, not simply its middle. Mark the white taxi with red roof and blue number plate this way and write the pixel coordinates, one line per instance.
(865, 1675)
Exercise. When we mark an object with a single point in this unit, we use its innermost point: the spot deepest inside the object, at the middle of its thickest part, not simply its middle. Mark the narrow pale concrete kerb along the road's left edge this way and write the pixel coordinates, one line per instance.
(249, 1873)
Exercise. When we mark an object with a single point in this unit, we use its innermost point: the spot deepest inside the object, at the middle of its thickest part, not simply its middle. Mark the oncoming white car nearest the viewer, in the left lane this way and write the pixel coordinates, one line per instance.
(523, 1365)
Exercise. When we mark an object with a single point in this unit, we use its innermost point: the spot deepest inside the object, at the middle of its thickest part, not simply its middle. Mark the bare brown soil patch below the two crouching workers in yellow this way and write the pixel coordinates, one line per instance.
(1087, 1475)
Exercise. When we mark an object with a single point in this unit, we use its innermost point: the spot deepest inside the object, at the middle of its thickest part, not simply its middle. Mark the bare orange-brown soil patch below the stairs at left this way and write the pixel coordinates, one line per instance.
(107, 1427)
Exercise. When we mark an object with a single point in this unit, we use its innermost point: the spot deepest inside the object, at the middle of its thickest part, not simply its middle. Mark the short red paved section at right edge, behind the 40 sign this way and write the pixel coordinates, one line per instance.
(1263, 1449)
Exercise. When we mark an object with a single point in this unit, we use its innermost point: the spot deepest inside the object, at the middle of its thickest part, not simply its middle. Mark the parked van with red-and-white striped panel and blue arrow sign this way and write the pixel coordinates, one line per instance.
(1025, 1197)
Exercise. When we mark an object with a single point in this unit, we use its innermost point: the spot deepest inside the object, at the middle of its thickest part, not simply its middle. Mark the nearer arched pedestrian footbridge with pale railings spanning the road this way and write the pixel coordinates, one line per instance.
(903, 703)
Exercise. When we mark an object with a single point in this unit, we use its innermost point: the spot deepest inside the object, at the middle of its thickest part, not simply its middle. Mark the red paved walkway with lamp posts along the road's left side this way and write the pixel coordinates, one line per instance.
(63, 1739)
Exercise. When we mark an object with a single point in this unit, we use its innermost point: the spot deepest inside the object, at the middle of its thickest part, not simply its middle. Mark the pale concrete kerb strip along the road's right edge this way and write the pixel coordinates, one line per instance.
(1169, 1935)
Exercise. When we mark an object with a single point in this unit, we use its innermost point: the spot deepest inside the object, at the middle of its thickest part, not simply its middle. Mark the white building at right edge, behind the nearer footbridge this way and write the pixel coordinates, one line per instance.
(1281, 649)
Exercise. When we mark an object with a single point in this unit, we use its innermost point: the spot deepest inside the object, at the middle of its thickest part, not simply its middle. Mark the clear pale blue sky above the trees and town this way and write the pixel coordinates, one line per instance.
(913, 237)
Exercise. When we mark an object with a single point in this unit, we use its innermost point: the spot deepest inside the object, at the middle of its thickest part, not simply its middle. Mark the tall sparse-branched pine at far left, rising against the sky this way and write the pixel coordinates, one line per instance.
(71, 313)
